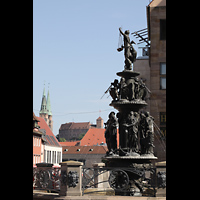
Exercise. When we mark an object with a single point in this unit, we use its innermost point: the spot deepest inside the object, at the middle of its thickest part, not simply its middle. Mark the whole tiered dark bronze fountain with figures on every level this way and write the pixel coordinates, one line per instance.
(135, 153)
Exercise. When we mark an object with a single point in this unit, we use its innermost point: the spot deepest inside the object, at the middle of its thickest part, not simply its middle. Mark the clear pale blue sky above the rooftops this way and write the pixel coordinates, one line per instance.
(75, 54)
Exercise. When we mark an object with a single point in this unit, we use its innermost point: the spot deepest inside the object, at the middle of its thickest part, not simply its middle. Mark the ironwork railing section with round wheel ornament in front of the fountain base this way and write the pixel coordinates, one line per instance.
(124, 181)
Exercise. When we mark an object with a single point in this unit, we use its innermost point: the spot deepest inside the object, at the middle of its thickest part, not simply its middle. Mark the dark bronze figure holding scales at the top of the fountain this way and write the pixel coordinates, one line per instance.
(129, 52)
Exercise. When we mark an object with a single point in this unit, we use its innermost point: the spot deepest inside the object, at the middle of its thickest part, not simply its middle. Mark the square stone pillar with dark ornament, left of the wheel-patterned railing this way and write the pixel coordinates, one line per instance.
(71, 178)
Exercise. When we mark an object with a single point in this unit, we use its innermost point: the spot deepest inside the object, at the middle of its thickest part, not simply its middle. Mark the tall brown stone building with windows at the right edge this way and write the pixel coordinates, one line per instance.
(156, 22)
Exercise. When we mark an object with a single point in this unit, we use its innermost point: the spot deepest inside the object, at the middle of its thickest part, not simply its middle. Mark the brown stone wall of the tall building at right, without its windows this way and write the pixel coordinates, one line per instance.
(157, 55)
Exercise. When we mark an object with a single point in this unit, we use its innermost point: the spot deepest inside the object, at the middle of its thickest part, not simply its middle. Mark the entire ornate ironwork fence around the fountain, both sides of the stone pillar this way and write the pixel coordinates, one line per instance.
(124, 181)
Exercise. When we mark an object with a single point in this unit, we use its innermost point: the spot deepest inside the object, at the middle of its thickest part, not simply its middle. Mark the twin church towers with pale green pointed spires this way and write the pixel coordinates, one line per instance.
(45, 110)
